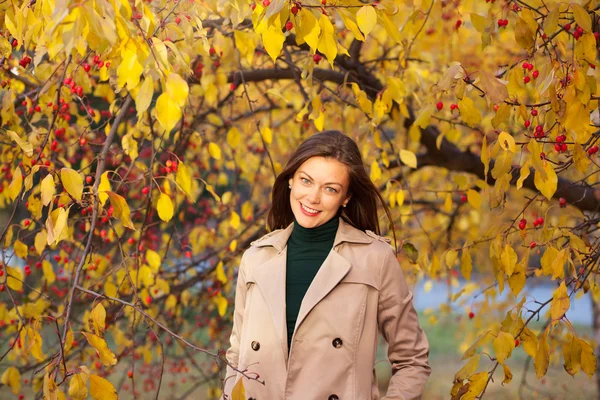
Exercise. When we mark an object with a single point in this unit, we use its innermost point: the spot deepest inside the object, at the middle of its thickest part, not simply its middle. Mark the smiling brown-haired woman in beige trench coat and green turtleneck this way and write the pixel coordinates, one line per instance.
(312, 295)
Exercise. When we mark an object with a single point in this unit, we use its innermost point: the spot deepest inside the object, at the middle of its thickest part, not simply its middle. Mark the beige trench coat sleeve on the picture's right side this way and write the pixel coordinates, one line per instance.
(408, 347)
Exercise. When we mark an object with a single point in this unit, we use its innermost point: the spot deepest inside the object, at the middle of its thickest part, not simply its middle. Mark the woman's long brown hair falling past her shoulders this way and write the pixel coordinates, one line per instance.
(361, 211)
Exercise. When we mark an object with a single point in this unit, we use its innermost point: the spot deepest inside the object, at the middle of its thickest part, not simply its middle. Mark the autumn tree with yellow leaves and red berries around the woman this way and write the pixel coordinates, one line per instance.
(139, 143)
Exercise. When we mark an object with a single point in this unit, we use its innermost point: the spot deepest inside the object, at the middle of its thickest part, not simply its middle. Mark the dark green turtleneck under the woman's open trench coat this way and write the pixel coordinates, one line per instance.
(307, 248)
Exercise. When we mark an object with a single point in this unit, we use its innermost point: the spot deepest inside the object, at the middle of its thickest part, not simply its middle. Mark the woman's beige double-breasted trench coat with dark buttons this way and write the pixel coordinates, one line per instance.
(359, 290)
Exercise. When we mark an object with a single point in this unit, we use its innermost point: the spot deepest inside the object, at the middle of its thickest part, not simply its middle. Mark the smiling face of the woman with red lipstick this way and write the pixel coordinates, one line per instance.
(319, 188)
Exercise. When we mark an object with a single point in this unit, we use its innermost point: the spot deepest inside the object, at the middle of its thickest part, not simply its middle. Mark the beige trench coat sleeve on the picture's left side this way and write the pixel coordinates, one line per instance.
(233, 352)
